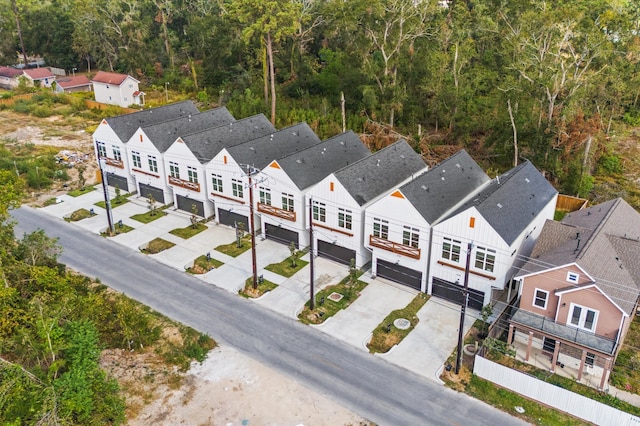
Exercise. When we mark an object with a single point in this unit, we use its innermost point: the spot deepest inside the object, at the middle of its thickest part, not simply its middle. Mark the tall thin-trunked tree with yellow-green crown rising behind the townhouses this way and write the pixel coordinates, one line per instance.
(271, 21)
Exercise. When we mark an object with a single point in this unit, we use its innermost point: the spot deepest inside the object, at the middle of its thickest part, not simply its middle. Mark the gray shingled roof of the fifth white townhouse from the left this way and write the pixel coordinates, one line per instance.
(308, 167)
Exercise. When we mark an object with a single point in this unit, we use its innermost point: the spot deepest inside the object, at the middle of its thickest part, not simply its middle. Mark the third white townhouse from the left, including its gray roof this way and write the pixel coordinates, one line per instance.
(187, 162)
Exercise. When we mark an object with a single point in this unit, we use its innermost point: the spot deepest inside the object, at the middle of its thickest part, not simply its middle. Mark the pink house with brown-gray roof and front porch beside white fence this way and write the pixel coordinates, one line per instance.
(579, 292)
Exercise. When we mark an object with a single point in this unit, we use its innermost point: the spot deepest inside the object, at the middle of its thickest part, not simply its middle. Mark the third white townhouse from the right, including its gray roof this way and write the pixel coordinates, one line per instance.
(340, 200)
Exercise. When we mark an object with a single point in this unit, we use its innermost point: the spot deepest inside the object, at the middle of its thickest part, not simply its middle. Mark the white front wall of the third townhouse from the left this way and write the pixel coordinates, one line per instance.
(180, 153)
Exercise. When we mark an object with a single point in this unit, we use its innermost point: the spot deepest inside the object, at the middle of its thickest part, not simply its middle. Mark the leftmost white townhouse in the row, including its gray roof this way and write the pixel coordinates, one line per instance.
(112, 135)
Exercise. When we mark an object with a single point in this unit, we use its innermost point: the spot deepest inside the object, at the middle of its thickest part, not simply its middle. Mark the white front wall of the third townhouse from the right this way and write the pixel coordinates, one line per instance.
(339, 198)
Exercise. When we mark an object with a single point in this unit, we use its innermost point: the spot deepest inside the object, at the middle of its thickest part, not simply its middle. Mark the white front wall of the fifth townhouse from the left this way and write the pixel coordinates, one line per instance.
(278, 181)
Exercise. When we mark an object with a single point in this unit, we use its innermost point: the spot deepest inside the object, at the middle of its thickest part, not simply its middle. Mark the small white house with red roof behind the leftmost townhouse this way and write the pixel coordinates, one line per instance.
(117, 89)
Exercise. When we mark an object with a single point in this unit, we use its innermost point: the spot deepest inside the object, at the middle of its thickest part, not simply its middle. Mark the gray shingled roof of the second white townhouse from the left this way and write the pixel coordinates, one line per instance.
(162, 135)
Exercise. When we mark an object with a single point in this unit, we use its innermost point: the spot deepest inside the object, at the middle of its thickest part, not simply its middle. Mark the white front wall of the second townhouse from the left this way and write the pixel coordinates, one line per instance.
(141, 144)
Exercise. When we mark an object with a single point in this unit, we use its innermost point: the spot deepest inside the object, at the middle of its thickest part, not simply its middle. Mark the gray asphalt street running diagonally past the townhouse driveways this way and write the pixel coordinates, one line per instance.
(369, 386)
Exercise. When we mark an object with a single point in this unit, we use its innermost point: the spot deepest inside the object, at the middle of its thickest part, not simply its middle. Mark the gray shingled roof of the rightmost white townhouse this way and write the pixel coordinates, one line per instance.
(511, 201)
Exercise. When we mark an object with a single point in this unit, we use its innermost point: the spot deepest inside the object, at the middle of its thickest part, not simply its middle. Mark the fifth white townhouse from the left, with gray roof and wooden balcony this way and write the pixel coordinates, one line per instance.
(283, 183)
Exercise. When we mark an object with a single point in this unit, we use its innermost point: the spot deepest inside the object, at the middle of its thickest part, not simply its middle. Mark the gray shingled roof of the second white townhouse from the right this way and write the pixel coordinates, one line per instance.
(440, 189)
